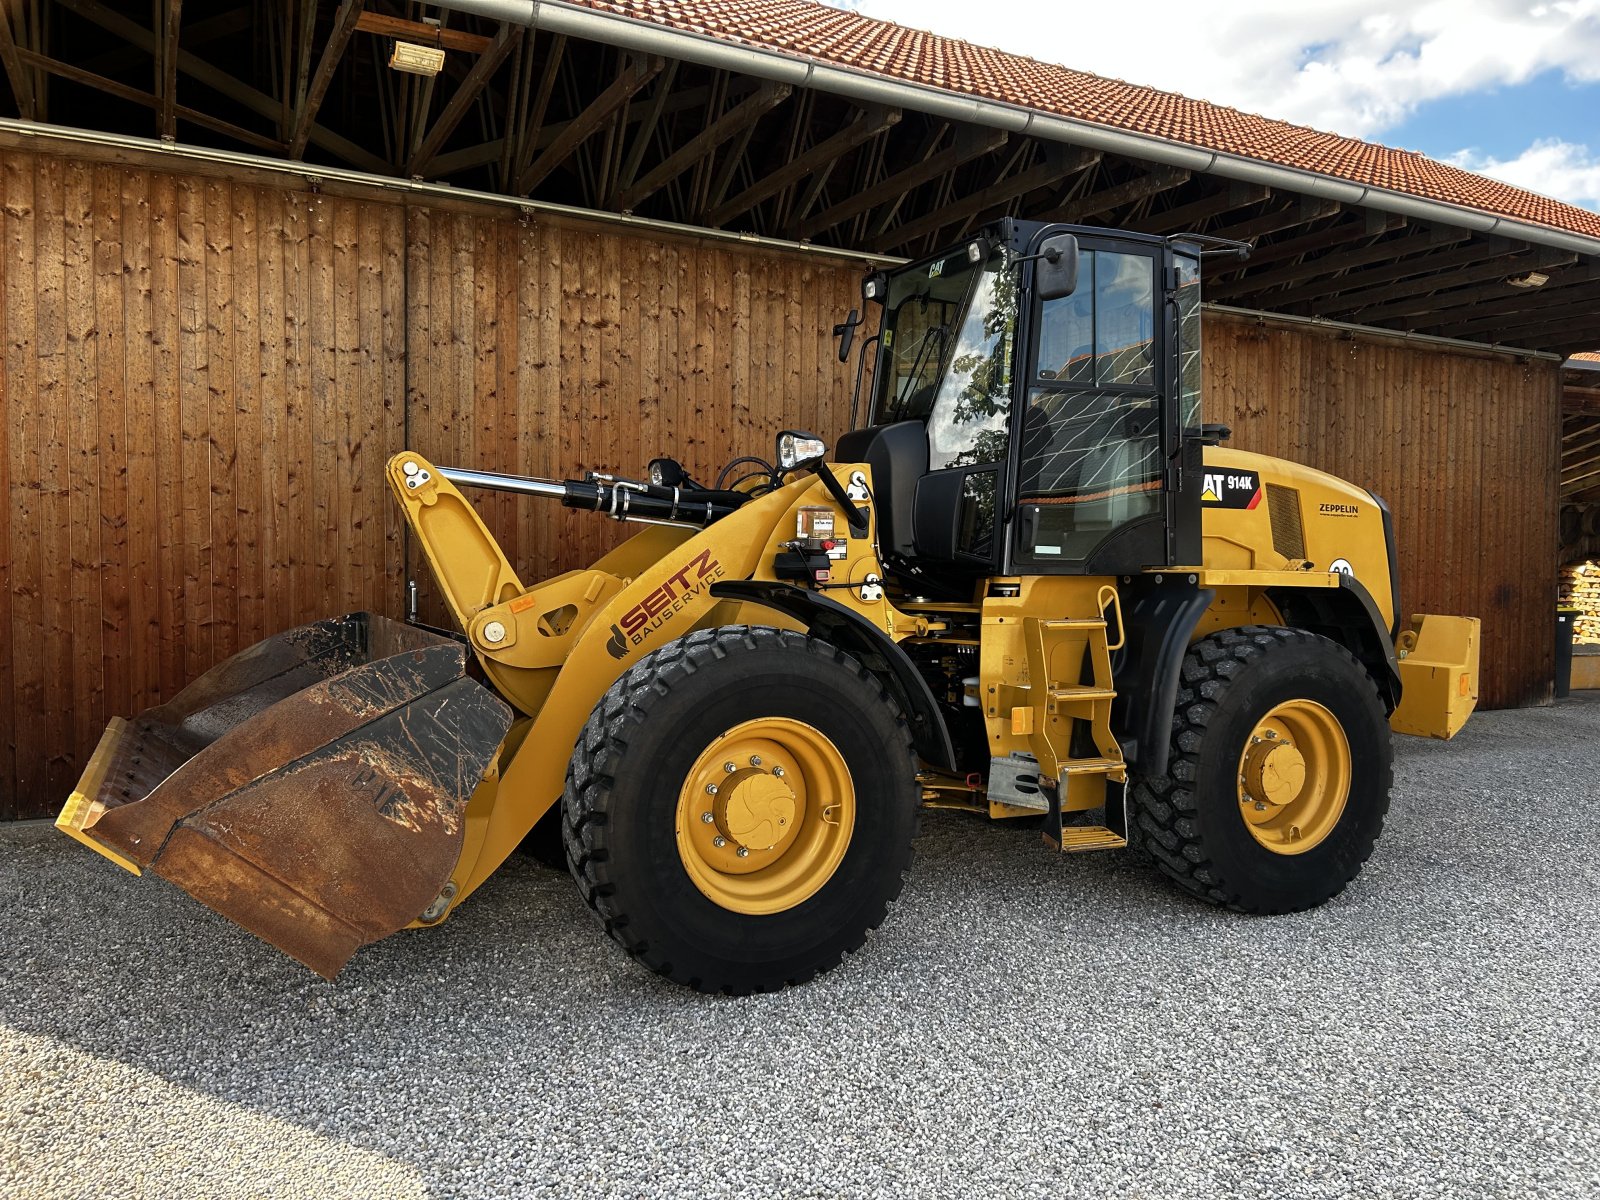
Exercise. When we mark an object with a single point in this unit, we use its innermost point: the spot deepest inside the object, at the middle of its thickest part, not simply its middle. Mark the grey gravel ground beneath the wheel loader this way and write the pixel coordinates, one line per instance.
(1022, 1026)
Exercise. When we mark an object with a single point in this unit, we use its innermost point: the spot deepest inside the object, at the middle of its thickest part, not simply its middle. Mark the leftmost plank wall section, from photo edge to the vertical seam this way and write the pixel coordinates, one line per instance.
(201, 382)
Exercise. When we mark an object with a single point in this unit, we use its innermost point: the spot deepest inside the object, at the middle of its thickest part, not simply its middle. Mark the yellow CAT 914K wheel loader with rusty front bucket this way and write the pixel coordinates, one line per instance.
(1033, 585)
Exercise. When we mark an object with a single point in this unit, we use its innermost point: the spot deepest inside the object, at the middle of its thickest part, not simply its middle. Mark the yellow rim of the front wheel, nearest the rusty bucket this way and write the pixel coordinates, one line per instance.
(766, 815)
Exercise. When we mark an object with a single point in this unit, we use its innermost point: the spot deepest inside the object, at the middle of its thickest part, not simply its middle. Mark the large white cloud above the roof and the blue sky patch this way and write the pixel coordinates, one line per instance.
(1350, 66)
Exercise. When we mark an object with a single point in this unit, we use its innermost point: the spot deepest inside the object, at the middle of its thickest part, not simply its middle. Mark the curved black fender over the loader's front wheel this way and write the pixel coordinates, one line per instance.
(858, 636)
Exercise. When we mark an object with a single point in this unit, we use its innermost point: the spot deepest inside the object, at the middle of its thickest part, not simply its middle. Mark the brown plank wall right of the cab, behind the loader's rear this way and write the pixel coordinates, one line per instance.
(1462, 447)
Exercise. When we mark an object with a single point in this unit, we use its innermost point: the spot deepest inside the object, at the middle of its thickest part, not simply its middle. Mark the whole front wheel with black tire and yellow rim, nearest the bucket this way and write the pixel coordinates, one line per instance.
(644, 772)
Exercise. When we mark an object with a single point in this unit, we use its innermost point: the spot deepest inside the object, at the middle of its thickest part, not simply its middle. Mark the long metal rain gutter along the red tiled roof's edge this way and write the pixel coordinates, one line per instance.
(868, 89)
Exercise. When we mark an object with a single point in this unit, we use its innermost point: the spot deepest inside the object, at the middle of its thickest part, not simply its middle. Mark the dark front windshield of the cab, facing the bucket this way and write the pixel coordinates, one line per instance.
(922, 316)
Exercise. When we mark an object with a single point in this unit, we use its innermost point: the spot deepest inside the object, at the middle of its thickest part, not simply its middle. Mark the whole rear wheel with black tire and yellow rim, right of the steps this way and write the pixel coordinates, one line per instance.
(1209, 822)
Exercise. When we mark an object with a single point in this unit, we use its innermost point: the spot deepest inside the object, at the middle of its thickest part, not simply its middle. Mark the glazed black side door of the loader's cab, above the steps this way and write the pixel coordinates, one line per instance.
(1092, 444)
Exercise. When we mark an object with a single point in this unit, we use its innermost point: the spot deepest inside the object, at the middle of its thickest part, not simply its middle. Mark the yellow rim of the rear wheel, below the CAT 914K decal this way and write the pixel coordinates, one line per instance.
(1295, 777)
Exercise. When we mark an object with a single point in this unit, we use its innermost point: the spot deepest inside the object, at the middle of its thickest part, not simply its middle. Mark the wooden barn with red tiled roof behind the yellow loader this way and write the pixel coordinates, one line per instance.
(250, 252)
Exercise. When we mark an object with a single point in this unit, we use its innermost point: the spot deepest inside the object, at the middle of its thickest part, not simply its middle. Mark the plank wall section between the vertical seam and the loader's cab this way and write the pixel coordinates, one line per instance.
(548, 348)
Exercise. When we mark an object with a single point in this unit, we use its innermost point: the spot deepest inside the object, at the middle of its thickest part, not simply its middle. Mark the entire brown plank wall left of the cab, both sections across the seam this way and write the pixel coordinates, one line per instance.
(201, 382)
